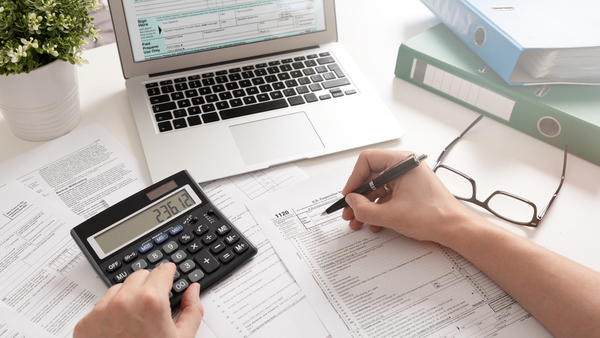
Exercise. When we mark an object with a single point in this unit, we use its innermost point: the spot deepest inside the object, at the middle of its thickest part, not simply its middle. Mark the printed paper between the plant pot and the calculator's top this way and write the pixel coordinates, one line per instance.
(86, 171)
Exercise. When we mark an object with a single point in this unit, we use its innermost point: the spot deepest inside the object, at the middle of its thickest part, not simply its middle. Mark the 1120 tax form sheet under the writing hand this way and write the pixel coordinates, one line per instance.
(372, 285)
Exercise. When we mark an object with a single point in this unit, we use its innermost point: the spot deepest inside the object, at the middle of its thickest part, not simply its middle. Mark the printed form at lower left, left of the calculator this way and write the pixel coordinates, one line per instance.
(43, 275)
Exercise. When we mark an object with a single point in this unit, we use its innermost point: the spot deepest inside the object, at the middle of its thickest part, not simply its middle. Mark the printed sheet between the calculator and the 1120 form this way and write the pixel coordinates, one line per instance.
(261, 299)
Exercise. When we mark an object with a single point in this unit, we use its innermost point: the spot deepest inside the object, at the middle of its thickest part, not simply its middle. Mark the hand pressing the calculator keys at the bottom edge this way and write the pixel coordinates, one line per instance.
(139, 307)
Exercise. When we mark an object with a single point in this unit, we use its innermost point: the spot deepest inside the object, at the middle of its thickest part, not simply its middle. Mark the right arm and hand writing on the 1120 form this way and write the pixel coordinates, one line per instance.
(562, 294)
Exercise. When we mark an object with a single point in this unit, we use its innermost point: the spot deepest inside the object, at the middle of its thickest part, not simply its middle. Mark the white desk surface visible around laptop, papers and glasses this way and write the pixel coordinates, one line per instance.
(495, 155)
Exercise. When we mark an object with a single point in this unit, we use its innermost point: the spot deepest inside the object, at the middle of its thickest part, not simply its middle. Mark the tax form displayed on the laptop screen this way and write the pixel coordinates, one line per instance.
(164, 28)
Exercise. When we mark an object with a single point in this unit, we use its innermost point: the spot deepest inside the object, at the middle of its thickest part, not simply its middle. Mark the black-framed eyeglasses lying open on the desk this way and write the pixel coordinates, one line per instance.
(507, 206)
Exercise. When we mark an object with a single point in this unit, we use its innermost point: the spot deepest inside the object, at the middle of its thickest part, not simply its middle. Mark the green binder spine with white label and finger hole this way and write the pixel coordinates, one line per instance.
(523, 112)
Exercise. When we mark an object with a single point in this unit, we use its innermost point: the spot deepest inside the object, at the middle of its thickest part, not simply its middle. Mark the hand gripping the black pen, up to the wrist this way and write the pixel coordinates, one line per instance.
(418, 204)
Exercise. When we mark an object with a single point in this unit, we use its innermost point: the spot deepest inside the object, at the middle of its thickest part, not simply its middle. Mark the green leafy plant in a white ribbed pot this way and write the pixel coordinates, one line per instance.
(41, 41)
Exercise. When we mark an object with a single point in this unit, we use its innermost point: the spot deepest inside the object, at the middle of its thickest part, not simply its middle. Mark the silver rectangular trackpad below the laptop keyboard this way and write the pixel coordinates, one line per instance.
(275, 138)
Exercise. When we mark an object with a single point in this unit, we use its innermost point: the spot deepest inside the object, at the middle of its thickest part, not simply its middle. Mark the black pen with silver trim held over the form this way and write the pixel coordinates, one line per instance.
(391, 173)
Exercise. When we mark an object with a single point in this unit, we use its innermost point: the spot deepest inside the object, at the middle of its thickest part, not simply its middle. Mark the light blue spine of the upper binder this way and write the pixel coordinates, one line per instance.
(489, 42)
